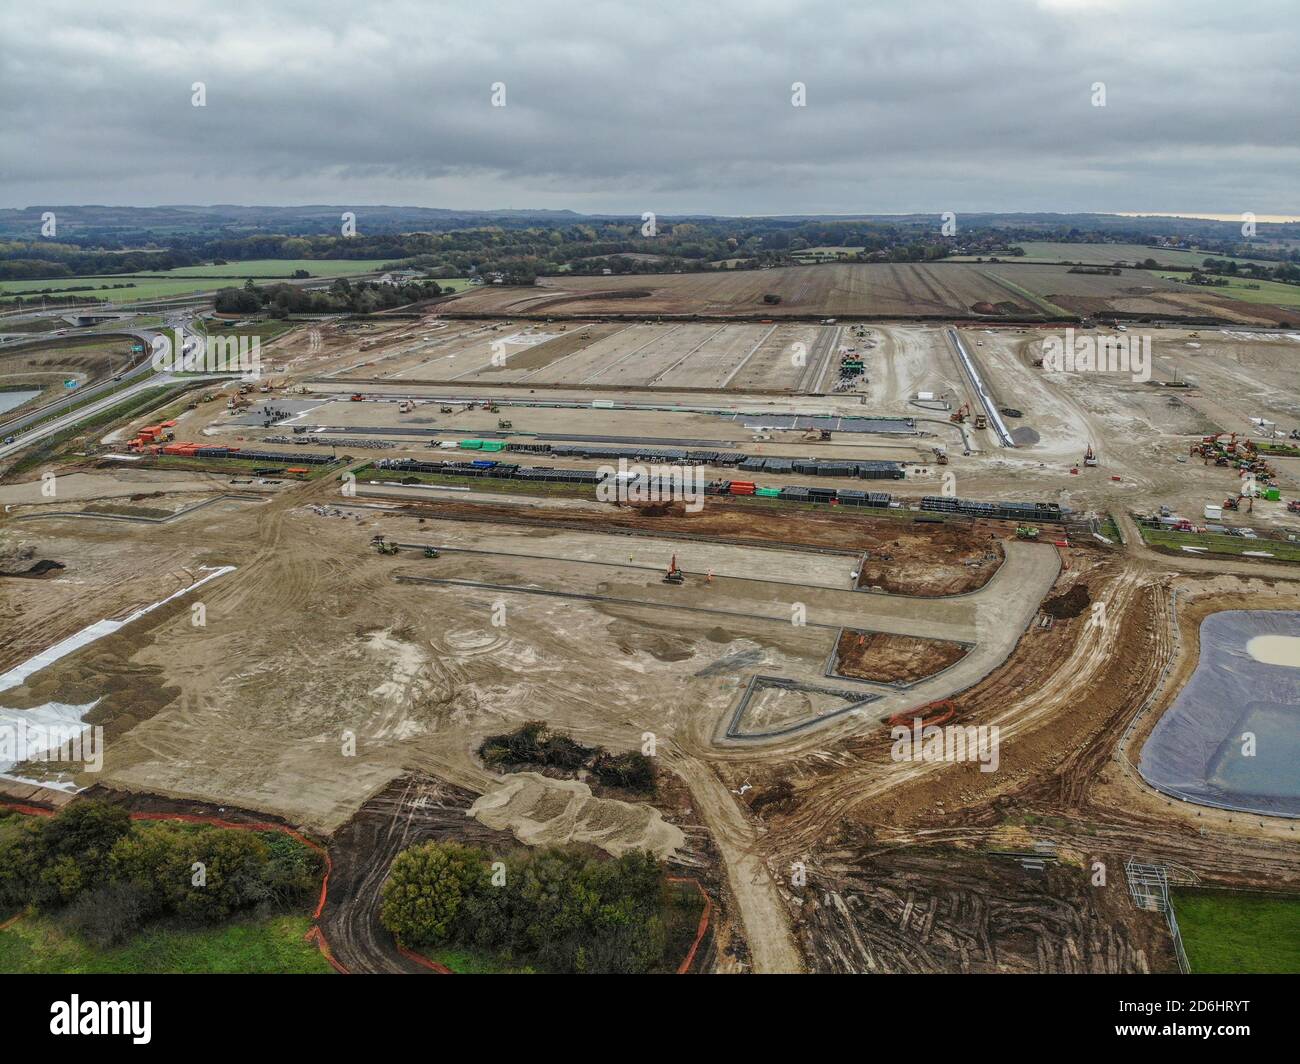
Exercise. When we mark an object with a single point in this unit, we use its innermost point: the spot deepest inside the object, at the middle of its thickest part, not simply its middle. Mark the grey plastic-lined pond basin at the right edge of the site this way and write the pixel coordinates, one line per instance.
(1195, 752)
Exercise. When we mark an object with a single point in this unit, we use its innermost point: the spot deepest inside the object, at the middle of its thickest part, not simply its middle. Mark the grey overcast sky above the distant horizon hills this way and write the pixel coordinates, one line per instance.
(631, 107)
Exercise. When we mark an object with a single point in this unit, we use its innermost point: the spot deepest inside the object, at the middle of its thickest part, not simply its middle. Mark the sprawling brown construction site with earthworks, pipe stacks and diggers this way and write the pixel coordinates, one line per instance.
(766, 552)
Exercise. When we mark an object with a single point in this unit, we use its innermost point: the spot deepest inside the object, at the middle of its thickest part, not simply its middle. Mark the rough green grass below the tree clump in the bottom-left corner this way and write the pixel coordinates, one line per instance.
(41, 946)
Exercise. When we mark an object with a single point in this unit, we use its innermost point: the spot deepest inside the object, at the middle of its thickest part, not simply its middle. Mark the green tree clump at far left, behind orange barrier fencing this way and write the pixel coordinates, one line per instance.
(106, 876)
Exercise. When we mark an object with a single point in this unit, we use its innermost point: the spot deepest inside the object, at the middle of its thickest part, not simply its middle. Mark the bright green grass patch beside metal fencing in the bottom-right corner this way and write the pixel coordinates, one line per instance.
(1240, 935)
